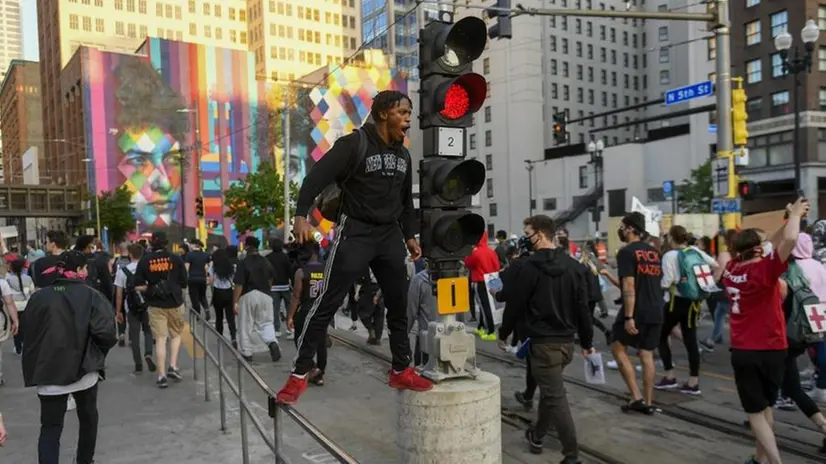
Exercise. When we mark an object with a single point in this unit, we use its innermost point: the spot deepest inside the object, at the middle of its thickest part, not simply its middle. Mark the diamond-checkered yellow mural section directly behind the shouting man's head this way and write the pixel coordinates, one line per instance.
(328, 112)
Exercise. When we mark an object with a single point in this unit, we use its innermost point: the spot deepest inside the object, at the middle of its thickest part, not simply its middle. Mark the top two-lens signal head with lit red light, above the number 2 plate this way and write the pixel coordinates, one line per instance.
(450, 91)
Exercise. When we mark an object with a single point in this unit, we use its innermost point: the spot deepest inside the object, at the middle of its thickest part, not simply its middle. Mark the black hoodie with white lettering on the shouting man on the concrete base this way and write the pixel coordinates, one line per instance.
(380, 189)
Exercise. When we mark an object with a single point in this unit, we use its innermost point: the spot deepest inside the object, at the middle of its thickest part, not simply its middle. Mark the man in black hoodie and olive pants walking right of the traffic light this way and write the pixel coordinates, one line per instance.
(552, 293)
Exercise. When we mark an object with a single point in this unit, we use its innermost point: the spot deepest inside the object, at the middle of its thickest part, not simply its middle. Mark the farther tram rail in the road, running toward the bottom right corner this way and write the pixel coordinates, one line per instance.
(785, 443)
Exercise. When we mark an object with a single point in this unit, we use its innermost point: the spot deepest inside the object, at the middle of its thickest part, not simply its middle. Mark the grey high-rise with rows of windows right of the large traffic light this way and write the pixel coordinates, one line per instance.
(586, 66)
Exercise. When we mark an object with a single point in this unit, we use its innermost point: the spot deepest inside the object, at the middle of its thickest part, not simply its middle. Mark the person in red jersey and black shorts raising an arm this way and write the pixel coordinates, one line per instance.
(758, 326)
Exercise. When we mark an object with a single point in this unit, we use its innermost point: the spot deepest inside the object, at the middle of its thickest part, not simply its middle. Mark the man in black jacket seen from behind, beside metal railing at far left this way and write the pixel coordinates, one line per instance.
(71, 329)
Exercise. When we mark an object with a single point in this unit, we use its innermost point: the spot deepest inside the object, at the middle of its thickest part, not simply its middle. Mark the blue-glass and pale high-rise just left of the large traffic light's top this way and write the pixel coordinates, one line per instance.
(399, 42)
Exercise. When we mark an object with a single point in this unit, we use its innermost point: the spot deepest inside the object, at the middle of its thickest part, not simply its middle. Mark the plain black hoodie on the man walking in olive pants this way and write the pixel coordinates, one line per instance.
(551, 298)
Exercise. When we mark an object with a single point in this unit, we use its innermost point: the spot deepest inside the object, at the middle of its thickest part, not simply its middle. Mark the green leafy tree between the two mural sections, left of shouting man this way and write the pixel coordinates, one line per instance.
(257, 202)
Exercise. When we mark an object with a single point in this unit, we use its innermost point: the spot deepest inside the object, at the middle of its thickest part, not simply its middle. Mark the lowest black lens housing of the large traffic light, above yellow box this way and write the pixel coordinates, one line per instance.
(450, 235)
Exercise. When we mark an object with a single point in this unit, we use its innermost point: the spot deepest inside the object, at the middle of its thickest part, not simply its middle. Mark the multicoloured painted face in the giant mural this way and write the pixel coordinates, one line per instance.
(151, 163)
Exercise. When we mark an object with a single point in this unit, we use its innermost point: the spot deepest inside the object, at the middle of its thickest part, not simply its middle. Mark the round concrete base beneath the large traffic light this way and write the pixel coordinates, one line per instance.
(457, 422)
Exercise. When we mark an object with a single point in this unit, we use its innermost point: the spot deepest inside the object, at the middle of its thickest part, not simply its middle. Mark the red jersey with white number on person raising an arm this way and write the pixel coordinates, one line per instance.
(757, 319)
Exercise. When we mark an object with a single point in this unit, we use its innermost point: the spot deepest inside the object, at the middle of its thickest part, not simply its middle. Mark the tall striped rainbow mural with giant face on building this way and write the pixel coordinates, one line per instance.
(161, 120)
